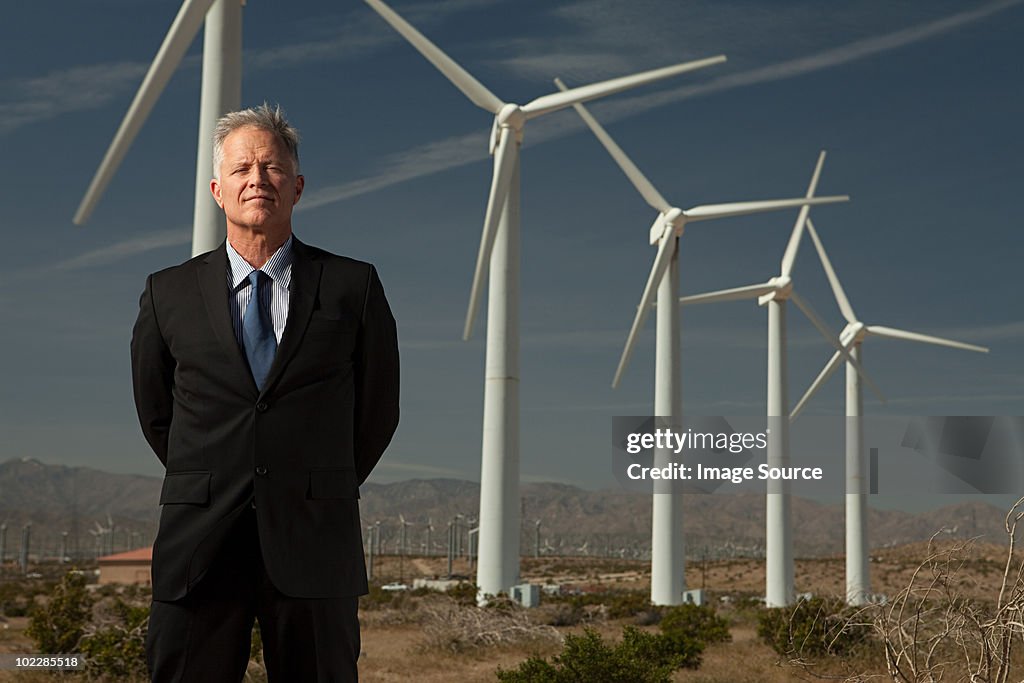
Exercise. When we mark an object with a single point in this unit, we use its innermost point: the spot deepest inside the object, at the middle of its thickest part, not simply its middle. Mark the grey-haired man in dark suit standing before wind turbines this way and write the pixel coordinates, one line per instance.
(267, 381)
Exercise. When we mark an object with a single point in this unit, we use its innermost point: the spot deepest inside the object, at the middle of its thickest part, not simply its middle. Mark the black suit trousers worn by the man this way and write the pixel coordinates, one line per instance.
(205, 637)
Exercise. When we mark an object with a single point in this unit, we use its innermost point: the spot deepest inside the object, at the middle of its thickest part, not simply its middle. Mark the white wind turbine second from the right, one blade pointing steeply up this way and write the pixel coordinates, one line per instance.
(775, 293)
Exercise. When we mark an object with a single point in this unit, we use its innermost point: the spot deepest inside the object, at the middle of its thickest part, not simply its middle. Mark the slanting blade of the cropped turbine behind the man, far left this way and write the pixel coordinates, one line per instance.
(187, 24)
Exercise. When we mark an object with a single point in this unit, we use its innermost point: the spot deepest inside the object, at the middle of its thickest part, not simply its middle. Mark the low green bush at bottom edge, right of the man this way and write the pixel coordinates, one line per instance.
(641, 658)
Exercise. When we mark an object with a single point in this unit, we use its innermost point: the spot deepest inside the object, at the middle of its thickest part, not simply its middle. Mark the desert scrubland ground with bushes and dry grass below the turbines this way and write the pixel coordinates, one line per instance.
(954, 612)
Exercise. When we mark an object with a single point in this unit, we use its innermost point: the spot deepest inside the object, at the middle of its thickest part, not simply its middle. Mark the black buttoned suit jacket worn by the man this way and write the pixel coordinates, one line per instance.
(303, 446)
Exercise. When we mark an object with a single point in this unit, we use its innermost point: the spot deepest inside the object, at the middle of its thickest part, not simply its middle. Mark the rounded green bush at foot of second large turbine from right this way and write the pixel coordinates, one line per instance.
(815, 627)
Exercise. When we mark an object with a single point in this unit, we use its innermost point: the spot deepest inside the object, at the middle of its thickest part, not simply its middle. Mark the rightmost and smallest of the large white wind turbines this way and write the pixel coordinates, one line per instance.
(854, 335)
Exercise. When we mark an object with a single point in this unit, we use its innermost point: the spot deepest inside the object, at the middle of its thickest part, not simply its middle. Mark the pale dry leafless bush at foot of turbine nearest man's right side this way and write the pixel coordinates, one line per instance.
(453, 628)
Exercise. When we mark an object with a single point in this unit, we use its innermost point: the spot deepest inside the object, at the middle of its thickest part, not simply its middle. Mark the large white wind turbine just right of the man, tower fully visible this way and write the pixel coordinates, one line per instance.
(500, 525)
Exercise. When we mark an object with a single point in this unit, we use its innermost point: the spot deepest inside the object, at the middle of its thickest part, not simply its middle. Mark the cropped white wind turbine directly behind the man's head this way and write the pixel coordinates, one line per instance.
(222, 93)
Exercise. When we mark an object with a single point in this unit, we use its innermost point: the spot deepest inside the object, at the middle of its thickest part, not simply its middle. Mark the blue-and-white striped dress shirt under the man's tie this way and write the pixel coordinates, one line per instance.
(279, 269)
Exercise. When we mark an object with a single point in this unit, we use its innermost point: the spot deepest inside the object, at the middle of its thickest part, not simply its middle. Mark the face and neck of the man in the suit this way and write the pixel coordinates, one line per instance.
(258, 187)
